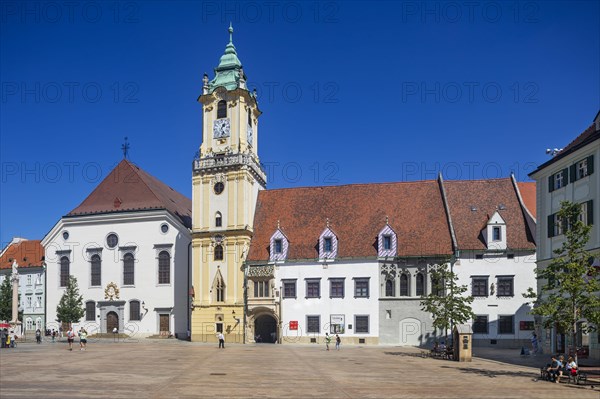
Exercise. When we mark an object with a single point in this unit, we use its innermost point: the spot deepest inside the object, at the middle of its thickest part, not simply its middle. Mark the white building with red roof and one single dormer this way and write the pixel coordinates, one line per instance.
(493, 226)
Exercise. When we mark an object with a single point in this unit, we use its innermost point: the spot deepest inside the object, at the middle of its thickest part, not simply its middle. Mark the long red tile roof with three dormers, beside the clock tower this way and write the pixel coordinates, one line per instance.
(356, 214)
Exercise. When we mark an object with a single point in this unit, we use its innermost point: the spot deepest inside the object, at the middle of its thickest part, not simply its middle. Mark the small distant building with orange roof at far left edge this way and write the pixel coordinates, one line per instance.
(29, 255)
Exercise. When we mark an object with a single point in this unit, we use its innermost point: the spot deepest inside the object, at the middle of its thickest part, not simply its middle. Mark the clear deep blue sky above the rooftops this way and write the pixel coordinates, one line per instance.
(351, 92)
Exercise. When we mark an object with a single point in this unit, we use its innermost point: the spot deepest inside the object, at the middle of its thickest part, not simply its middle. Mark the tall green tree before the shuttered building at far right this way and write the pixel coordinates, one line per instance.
(568, 293)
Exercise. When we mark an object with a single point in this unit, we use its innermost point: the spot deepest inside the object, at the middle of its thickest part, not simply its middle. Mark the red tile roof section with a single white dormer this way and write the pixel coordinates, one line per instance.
(473, 202)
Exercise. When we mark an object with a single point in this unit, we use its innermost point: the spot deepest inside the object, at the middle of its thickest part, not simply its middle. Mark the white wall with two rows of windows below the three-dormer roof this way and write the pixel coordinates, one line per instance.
(334, 297)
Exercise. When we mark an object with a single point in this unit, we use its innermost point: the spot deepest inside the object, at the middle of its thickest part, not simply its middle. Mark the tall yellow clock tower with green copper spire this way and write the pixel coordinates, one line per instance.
(226, 179)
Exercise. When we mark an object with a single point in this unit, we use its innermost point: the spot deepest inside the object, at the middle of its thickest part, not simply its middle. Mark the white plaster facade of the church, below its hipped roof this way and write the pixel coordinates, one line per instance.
(142, 234)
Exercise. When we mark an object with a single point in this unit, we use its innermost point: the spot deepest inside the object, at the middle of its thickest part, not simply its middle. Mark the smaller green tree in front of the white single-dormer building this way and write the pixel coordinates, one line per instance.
(446, 302)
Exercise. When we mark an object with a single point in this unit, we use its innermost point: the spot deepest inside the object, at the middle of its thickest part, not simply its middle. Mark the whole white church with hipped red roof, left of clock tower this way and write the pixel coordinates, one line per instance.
(128, 245)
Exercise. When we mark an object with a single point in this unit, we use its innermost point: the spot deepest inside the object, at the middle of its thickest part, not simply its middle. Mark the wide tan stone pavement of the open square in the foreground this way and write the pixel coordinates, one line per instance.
(175, 369)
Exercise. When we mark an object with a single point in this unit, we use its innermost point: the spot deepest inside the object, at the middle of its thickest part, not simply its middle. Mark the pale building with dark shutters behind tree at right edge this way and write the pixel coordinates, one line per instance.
(571, 175)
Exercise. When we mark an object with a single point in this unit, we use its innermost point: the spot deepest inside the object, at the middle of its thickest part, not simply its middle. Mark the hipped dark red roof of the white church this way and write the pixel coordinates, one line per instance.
(129, 188)
